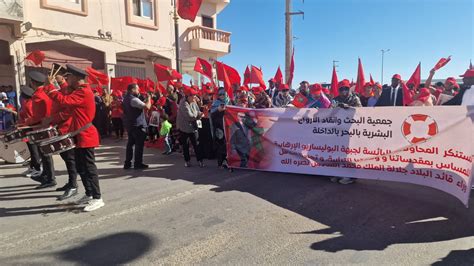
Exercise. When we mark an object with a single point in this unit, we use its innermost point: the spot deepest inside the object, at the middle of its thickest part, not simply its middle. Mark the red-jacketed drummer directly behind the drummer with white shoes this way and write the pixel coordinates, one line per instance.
(41, 108)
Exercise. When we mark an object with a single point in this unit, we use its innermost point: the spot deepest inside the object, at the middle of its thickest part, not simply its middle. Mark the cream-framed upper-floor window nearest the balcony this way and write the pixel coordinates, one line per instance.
(142, 13)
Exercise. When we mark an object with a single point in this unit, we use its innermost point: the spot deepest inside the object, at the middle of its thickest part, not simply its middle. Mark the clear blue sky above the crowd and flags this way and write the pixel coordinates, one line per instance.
(343, 30)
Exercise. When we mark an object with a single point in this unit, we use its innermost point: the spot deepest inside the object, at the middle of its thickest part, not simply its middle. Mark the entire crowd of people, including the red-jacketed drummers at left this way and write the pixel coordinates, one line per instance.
(184, 119)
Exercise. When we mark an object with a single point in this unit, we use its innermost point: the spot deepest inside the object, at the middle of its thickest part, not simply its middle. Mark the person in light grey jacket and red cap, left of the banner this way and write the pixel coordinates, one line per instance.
(188, 122)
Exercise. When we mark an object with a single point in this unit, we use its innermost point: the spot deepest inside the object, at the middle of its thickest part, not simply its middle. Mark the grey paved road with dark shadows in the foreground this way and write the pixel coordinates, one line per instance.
(173, 215)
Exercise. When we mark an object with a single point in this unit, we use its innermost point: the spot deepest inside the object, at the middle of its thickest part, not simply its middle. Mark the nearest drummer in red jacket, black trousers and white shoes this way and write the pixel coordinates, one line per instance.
(81, 104)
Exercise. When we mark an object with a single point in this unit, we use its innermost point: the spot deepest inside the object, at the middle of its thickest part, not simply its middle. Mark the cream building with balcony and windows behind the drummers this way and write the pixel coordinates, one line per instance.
(119, 37)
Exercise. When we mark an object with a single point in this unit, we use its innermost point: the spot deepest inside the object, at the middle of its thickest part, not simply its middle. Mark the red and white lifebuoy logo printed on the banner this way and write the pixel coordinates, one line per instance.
(419, 128)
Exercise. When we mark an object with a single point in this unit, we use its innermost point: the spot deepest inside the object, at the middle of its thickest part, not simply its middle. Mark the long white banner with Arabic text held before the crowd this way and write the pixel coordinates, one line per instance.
(429, 146)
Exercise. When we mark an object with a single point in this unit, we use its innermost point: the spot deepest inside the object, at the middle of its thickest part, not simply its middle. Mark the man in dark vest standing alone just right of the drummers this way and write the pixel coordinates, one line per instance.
(136, 126)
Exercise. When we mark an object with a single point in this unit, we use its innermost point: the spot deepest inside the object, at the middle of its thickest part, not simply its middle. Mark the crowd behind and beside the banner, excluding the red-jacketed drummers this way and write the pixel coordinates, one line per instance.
(188, 116)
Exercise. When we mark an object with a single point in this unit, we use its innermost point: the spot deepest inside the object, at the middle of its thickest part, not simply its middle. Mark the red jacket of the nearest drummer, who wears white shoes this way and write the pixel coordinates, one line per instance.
(82, 109)
